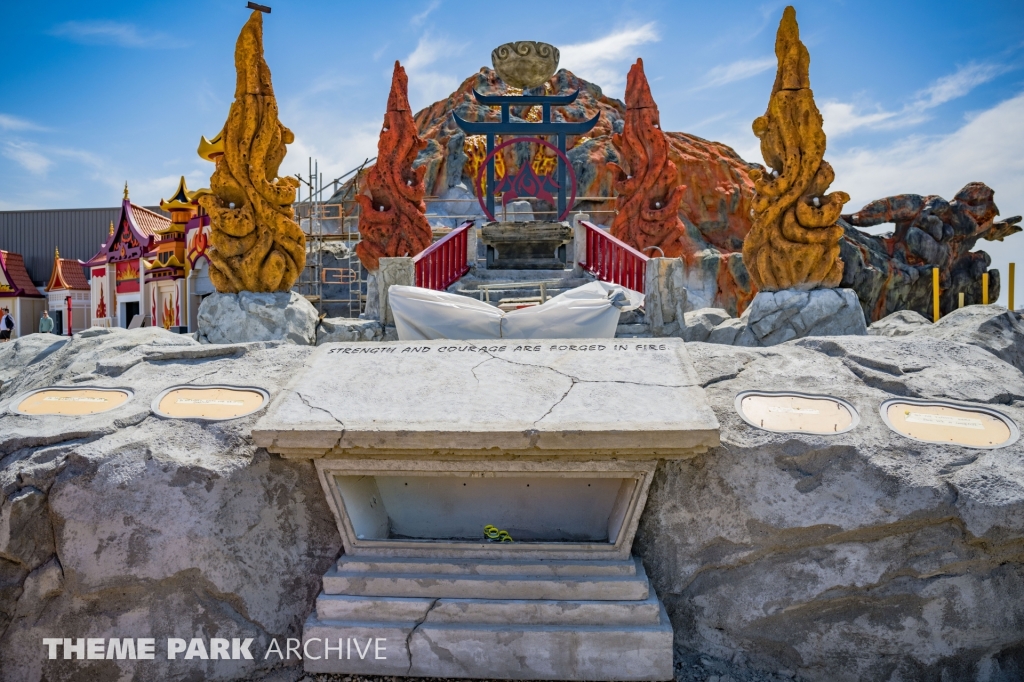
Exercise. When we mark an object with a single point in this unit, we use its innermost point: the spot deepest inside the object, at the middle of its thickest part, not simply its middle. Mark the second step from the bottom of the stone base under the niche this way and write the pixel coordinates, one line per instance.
(489, 612)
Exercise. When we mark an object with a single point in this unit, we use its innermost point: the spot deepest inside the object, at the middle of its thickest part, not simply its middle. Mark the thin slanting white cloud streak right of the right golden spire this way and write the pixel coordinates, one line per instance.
(842, 118)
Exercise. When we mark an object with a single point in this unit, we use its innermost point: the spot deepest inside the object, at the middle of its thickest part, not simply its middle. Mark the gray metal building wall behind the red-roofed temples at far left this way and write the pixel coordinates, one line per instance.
(78, 233)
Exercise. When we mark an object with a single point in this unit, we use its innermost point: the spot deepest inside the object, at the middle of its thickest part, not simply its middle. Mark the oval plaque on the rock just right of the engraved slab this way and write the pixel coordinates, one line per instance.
(797, 413)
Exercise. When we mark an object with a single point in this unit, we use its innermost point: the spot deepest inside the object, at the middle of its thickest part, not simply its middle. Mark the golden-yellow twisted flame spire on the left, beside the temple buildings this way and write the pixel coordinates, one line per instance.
(257, 244)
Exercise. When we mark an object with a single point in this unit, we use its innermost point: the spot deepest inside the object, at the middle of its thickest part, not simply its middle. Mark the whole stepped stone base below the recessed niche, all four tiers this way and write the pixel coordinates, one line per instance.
(499, 620)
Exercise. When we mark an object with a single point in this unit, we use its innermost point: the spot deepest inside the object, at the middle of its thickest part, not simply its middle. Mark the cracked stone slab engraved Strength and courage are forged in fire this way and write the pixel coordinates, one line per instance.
(613, 396)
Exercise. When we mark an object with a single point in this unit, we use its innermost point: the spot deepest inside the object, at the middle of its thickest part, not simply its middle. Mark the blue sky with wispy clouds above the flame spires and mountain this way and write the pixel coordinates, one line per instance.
(917, 97)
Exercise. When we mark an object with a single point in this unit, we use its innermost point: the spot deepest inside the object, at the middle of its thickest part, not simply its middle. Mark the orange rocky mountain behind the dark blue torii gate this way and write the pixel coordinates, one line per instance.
(716, 197)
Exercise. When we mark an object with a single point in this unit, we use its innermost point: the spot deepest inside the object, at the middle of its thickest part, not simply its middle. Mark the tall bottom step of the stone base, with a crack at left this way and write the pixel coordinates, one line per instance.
(510, 652)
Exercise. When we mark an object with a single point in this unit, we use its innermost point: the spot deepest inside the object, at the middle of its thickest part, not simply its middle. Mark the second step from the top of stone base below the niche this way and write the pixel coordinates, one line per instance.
(508, 586)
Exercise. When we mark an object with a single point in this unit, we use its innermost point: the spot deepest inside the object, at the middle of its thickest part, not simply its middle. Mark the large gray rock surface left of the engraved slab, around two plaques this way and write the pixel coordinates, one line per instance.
(127, 525)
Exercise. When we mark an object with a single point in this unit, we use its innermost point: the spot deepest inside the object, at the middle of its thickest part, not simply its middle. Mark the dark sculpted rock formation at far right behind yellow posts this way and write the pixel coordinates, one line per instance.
(894, 272)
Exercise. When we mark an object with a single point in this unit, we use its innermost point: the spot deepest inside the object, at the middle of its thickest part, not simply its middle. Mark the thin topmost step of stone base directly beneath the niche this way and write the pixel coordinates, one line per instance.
(477, 568)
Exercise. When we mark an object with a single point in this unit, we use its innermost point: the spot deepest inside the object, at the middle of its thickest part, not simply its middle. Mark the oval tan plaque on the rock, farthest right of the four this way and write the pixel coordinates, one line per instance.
(935, 421)
